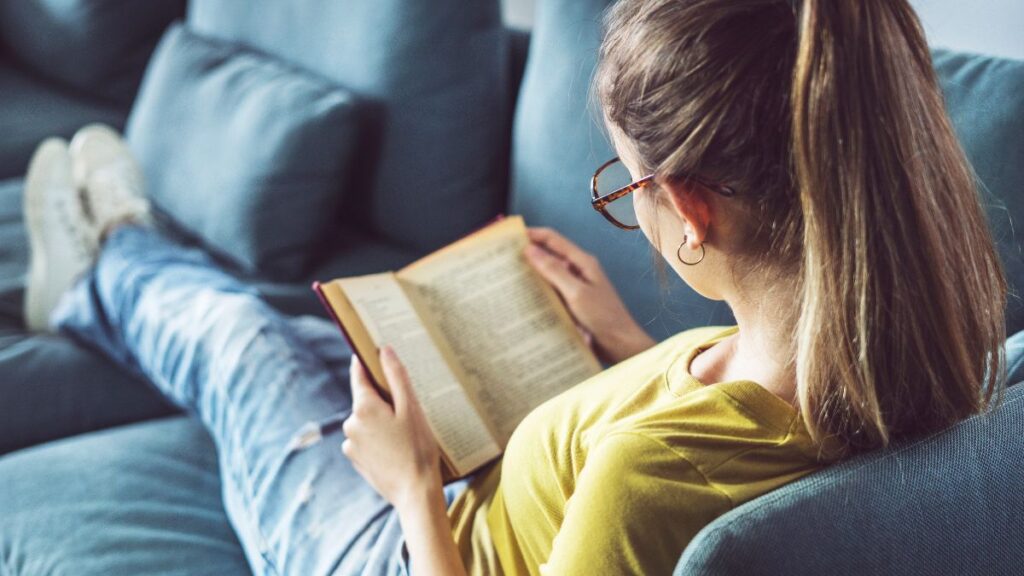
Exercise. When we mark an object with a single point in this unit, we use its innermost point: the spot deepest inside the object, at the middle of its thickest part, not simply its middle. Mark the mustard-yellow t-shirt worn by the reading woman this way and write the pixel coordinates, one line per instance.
(617, 475)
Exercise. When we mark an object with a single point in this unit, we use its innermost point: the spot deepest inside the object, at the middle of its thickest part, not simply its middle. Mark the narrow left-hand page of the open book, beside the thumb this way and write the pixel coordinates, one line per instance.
(391, 319)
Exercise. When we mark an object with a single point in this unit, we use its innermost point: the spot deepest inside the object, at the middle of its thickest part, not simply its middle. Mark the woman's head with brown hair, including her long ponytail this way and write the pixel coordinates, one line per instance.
(827, 119)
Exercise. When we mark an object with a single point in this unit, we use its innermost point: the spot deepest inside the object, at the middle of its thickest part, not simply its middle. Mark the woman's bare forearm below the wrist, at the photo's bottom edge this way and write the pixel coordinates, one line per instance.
(429, 533)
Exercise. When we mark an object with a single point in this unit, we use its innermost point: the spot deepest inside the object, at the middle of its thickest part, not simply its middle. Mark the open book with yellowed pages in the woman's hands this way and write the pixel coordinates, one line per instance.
(485, 340)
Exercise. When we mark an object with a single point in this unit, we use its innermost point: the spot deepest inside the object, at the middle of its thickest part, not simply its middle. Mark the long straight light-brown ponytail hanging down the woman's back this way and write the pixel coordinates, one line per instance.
(902, 323)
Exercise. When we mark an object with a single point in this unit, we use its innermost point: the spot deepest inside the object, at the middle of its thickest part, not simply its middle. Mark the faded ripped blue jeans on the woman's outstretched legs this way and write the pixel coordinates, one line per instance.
(272, 391)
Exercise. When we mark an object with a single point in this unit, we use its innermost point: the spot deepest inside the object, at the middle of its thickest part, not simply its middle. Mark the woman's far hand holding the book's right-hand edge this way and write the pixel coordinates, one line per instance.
(595, 306)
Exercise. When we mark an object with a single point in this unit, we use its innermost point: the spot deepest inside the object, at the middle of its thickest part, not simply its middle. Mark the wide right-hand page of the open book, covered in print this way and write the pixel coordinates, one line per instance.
(506, 327)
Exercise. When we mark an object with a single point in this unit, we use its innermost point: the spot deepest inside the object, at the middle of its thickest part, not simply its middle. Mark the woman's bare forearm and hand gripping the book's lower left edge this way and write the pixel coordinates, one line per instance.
(395, 450)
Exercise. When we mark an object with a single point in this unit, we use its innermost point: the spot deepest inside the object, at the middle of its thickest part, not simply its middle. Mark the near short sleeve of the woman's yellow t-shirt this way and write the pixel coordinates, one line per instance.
(636, 506)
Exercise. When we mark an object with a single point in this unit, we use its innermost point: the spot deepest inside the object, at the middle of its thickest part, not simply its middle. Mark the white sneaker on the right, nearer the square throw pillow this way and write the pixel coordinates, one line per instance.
(105, 168)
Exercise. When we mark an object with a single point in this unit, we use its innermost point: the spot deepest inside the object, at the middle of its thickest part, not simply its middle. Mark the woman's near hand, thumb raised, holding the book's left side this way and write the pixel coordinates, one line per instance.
(393, 447)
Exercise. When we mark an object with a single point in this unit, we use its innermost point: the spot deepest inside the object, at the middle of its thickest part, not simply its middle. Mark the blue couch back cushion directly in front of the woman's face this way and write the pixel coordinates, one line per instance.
(559, 142)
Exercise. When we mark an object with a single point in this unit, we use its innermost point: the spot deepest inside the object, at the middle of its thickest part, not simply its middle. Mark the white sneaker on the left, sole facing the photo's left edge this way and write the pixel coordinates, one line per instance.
(63, 242)
